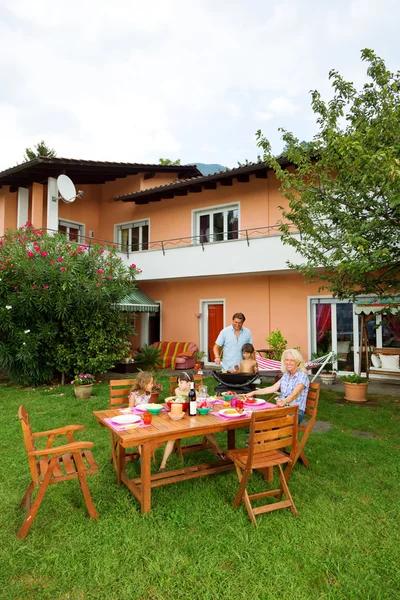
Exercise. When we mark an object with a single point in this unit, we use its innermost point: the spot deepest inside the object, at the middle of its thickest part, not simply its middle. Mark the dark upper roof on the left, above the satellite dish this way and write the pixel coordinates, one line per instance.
(84, 171)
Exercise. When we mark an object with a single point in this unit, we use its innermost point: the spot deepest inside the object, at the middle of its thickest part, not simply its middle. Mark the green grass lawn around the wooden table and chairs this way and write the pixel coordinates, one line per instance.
(194, 544)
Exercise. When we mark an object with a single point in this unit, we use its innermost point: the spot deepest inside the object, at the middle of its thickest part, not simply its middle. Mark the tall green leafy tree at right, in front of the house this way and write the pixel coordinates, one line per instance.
(344, 192)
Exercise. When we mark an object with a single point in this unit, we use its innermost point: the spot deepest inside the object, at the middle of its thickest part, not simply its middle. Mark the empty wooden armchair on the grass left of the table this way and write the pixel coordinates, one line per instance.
(53, 465)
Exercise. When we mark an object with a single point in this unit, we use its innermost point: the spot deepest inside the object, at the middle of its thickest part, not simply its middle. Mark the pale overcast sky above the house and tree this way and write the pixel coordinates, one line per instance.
(133, 81)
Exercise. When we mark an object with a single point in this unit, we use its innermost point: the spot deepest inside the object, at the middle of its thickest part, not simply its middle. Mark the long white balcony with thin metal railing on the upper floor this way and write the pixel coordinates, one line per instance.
(256, 251)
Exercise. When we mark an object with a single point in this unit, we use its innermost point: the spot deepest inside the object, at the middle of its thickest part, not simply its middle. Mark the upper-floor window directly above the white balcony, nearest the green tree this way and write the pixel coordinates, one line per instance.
(217, 224)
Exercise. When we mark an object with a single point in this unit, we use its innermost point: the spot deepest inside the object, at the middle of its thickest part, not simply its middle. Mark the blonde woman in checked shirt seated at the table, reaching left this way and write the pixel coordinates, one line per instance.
(293, 385)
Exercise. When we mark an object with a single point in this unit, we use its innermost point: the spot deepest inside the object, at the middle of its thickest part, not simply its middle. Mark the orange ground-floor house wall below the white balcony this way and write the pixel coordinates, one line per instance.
(268, 302)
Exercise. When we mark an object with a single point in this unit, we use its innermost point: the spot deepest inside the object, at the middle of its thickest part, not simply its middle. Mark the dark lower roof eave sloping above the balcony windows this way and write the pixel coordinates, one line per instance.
(198, 183)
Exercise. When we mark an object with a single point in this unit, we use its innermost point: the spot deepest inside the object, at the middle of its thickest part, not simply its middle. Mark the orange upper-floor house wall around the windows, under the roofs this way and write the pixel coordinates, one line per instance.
(97, 210)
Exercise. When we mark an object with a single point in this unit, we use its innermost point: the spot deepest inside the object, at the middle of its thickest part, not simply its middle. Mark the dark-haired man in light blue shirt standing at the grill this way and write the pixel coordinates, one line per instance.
(231, 339)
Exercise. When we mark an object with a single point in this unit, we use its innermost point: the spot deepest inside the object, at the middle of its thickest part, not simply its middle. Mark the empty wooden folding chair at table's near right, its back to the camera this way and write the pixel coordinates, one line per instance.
(271, 431)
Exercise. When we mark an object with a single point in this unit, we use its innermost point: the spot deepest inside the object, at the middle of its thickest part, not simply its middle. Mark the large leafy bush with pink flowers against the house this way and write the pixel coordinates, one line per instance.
(58, 306)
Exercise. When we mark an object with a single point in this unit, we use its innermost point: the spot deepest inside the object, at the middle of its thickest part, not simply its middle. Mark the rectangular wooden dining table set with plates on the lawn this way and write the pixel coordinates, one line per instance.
(161, 430)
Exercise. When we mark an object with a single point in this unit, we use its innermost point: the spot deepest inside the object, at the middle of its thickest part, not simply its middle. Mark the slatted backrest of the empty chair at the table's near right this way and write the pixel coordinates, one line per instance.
(273, 429)
